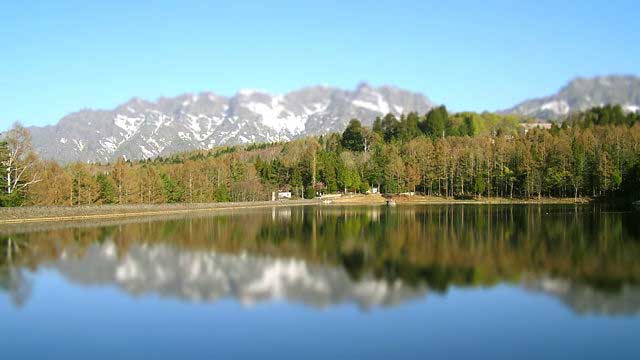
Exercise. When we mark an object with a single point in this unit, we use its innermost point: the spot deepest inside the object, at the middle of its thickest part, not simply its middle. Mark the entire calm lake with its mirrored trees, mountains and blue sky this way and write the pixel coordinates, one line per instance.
(325, 282)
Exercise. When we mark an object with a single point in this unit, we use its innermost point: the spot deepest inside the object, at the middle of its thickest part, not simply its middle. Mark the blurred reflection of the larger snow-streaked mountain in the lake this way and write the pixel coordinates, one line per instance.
(209, 276)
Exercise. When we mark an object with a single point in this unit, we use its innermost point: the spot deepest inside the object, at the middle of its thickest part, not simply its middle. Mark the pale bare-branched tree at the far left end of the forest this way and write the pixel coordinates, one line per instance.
(20, 160)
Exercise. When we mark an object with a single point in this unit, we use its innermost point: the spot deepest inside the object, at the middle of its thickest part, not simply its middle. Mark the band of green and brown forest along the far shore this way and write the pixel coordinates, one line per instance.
(595, 153)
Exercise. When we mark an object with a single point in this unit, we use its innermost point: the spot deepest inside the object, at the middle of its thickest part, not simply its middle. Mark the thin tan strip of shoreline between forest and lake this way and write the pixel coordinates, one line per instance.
(25, 215)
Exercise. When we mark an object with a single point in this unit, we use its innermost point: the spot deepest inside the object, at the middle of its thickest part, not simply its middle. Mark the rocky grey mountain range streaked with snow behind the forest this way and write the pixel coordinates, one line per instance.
(140, 129)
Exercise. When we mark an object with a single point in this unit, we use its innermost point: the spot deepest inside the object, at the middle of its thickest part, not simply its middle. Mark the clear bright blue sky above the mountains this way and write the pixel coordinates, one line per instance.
(59, 56)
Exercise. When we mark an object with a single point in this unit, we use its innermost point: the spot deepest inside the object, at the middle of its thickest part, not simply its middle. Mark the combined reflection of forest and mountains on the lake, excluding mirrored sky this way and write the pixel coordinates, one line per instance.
(320, 256)
